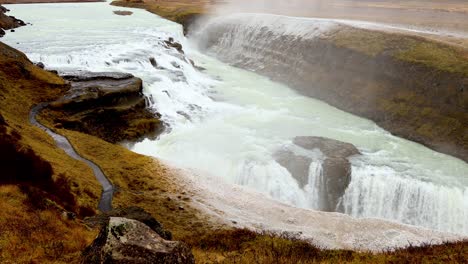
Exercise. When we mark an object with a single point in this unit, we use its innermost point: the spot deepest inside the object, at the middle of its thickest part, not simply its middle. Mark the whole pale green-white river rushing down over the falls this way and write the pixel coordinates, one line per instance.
(228, 122)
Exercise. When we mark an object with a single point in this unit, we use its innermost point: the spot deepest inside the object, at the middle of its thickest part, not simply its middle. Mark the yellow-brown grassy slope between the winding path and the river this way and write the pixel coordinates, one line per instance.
(145, 182)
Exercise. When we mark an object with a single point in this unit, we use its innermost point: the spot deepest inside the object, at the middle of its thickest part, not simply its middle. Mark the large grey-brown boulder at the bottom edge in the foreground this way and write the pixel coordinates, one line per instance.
(125, 240)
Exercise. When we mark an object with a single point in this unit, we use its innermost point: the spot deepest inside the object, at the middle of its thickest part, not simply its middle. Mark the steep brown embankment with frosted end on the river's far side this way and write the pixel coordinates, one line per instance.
(413, 87)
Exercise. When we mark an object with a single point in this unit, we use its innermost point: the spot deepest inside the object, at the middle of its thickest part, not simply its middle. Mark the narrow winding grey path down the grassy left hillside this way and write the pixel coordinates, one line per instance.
(105, 202)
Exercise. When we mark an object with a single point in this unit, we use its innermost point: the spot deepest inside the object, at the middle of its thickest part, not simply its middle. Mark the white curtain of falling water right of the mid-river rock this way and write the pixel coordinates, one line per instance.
(379, 192)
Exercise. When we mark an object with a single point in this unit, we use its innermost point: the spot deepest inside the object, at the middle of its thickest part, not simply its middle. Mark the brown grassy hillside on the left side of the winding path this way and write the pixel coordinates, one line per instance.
(31, 230)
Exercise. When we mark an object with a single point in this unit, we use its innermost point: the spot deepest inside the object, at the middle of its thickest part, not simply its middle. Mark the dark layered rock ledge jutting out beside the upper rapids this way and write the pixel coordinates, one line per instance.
(107, 105)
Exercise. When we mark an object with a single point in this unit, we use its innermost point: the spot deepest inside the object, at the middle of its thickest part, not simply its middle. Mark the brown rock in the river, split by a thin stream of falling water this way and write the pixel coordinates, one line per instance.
(336, 169)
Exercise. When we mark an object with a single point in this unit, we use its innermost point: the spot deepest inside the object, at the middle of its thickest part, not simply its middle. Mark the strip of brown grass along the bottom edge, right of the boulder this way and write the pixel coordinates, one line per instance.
(245, 246)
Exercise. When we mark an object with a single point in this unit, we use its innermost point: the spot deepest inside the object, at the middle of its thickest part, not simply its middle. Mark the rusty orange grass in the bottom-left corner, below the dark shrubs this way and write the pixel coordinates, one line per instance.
(37, 236)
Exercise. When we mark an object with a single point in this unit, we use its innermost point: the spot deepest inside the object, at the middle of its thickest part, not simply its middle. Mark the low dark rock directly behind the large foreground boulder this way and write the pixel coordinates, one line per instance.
(133, 212)
